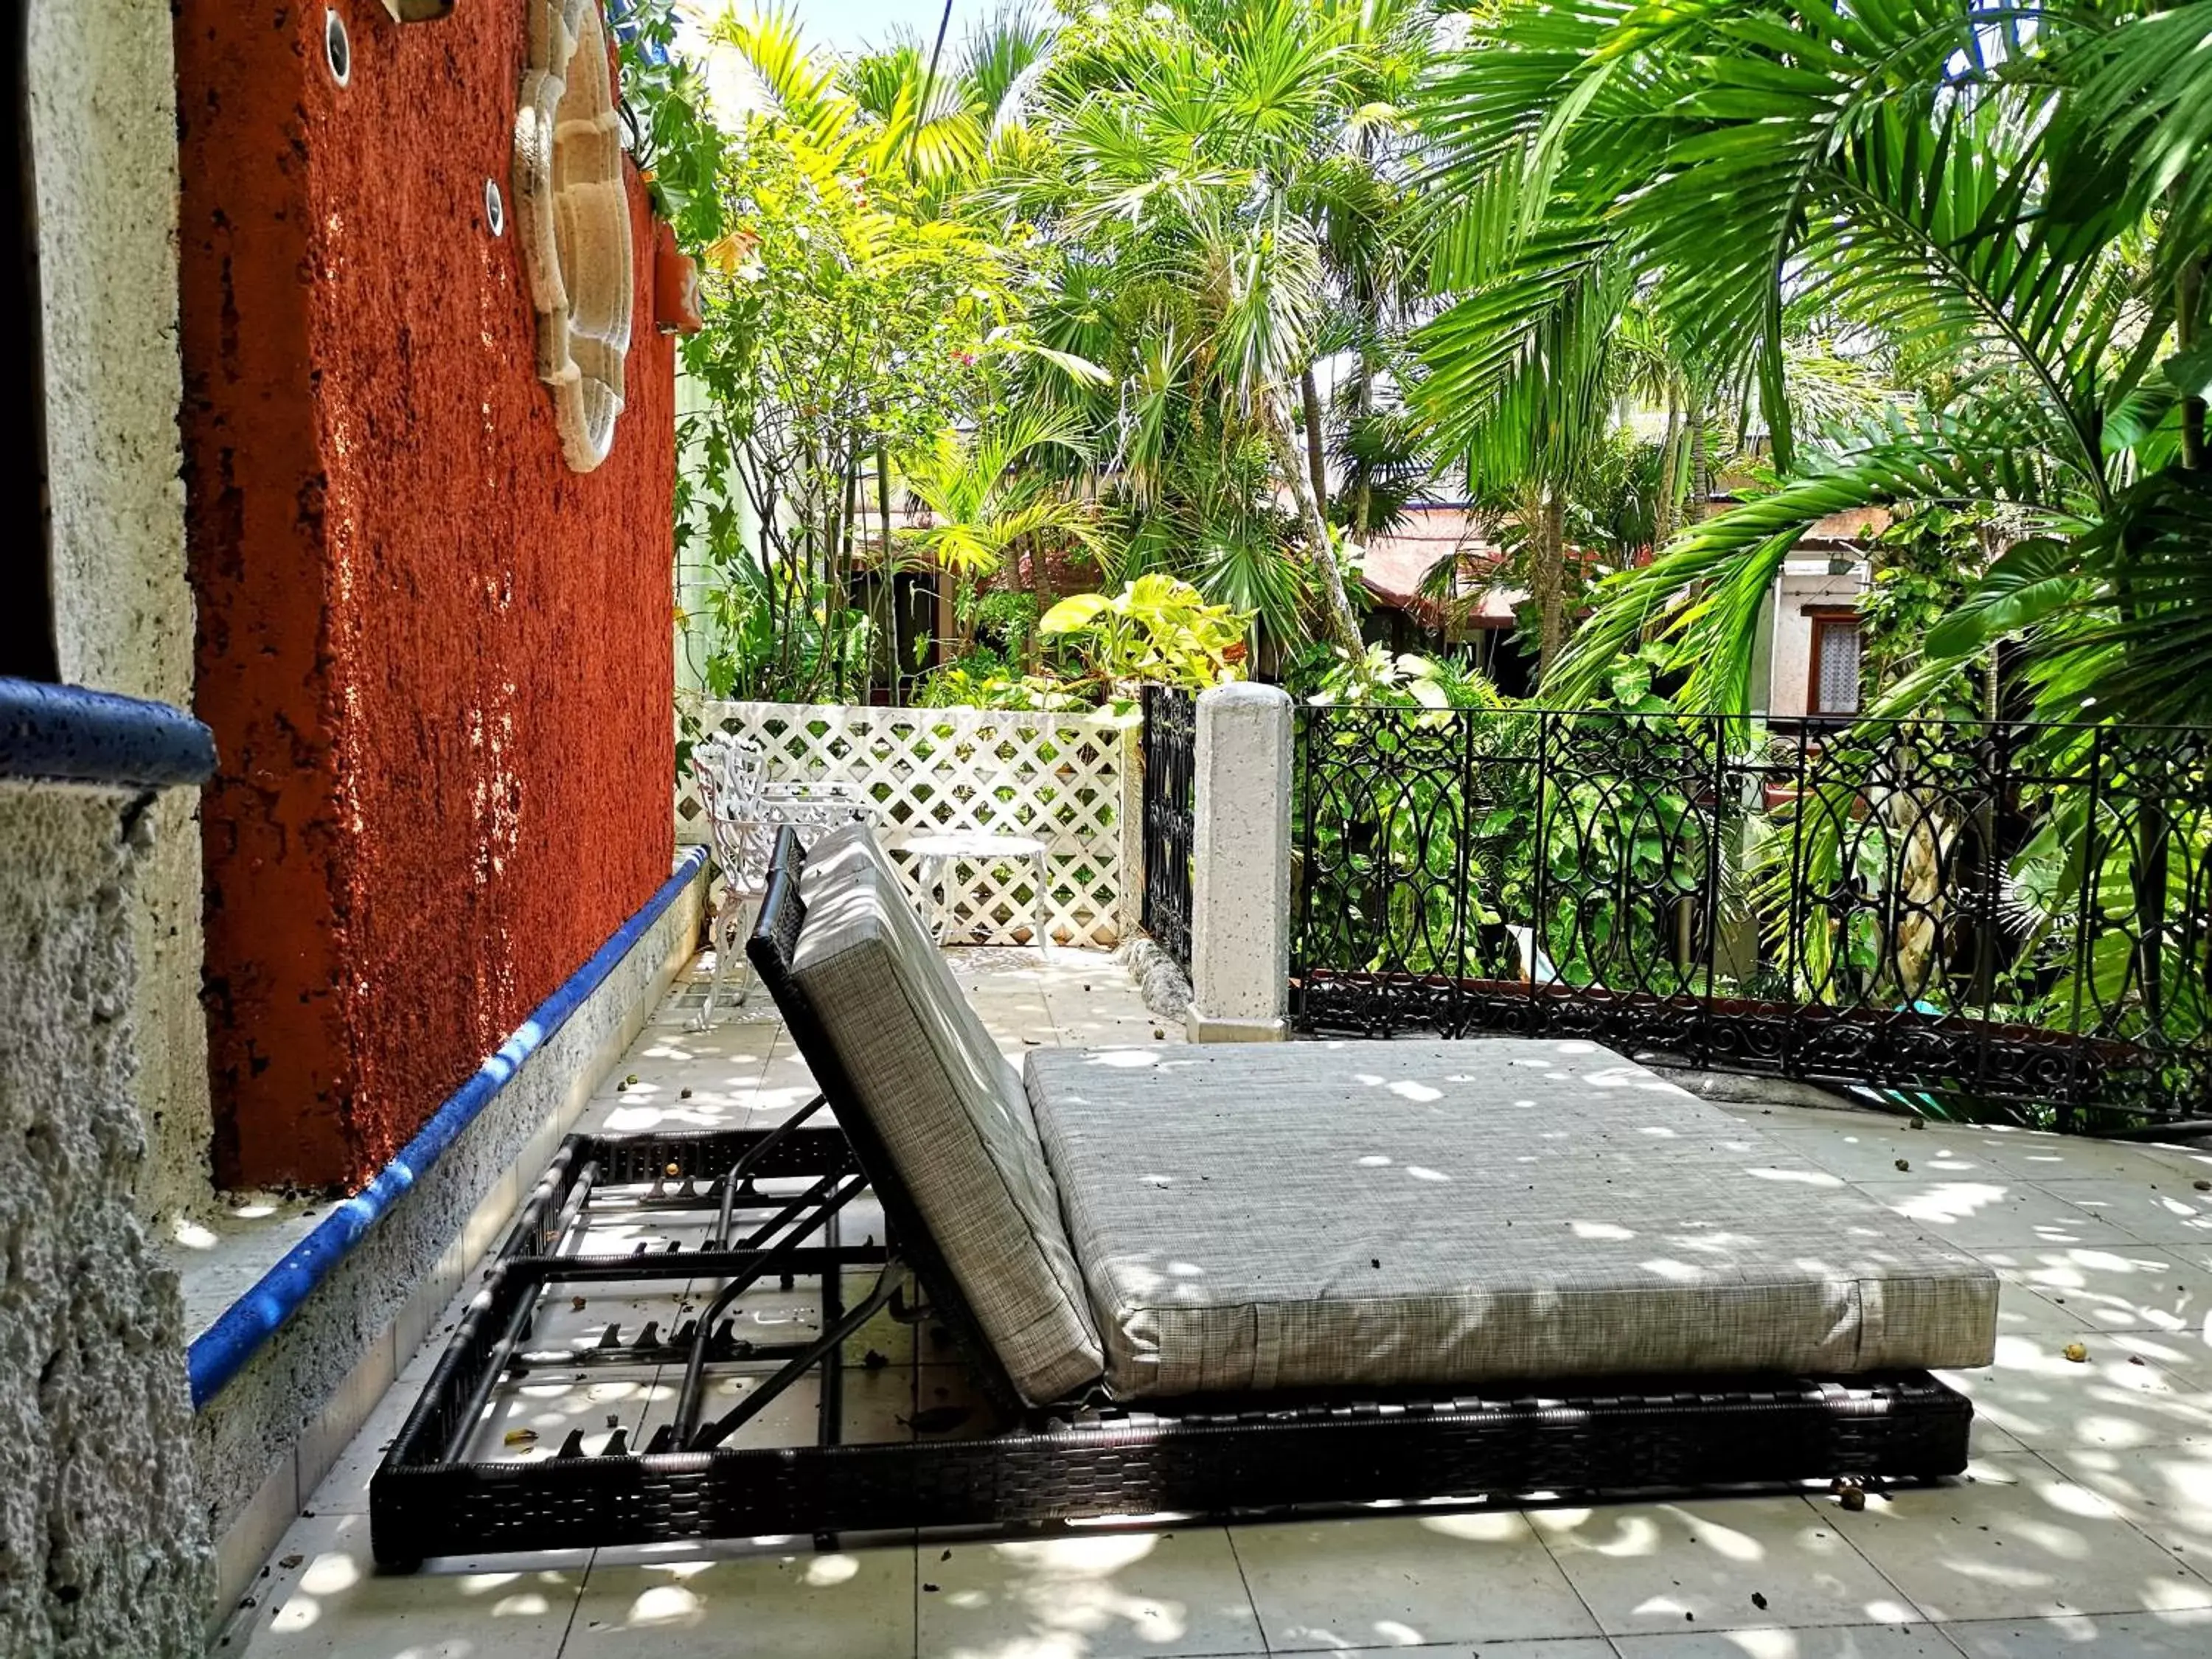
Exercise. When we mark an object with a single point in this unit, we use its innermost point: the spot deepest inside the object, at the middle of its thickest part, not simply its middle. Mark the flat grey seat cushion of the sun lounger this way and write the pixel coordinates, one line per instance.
(1430, 1213)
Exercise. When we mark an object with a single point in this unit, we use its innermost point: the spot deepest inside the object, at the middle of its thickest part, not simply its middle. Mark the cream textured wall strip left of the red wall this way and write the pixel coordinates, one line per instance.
(103, 87)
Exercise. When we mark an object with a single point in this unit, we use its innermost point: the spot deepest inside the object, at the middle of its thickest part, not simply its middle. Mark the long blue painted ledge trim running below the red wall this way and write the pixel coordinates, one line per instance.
(222, 1350)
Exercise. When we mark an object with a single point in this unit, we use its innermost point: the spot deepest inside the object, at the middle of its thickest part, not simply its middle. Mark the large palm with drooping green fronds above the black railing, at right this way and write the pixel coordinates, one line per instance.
(2012, 194)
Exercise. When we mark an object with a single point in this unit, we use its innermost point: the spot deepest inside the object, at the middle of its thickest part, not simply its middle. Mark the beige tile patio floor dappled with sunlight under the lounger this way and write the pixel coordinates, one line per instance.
(2085, 1525)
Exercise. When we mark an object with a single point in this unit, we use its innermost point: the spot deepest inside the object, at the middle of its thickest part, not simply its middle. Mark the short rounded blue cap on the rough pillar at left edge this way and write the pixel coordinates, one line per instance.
(74, 735)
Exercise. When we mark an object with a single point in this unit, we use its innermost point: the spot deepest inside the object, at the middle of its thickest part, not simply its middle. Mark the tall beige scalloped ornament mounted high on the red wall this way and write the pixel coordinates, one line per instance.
(574, 218)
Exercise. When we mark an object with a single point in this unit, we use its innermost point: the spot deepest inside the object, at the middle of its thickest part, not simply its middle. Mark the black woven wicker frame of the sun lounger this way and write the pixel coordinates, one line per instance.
(1074, 1461)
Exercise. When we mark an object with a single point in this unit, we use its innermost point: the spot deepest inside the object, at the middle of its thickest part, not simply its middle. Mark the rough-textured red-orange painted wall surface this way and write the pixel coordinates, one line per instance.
(437, 660)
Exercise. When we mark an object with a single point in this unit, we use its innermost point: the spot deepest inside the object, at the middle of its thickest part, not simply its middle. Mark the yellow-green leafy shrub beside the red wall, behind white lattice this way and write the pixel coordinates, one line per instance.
(842, 326)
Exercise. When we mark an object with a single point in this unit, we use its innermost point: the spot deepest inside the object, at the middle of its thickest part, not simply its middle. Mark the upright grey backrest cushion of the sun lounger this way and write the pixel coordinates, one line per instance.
(948, 1109)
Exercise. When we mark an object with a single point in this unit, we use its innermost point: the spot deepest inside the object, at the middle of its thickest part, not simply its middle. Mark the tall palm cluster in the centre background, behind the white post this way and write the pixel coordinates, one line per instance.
(1211, 176)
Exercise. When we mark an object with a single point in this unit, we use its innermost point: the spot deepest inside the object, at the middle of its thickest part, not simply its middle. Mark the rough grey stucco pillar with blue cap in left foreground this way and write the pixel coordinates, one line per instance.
(103, 1541)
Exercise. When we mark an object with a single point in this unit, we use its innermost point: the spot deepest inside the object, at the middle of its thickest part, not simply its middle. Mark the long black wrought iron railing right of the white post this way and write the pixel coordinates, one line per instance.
(1987, 910)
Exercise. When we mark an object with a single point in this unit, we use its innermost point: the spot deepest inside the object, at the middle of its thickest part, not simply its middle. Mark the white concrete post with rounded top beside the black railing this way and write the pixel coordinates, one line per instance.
(1240, 881)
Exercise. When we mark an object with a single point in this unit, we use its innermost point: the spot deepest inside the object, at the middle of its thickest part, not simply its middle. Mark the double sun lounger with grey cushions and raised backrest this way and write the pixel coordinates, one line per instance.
(1233, 1280)
